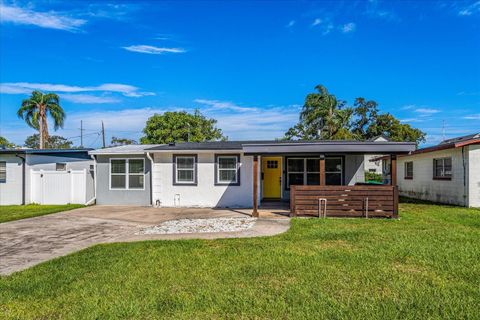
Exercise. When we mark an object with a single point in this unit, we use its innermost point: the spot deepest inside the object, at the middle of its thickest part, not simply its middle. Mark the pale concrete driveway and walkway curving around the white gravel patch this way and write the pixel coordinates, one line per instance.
(27, 242)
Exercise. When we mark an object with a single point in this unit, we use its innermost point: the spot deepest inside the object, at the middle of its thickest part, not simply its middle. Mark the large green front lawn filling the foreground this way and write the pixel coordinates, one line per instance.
(424, 266)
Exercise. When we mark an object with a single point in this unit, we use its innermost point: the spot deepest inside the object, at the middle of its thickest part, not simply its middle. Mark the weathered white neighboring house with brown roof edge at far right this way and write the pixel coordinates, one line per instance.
(446, 173)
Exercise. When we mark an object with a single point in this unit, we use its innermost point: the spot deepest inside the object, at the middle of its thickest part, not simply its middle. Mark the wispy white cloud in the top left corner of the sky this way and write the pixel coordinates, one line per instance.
(49, 20)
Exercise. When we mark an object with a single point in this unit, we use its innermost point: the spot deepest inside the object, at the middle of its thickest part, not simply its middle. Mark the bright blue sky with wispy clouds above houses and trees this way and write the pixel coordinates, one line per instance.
(247, 64)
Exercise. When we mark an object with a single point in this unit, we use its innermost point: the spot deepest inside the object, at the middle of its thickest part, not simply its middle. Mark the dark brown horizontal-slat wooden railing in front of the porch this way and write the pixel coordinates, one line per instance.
(344, 201)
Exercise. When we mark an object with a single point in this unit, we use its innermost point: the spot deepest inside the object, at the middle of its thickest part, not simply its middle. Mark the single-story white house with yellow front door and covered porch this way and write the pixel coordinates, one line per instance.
(236, 174)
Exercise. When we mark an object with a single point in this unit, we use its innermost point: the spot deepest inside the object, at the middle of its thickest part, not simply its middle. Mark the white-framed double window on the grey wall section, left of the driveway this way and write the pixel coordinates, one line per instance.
(127, 174)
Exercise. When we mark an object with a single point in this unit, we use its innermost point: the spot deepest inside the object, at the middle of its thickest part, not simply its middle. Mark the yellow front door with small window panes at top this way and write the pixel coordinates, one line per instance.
(272, 177)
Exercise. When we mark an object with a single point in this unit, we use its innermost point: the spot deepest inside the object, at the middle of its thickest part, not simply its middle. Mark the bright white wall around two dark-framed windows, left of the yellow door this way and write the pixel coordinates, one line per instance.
(205, 193)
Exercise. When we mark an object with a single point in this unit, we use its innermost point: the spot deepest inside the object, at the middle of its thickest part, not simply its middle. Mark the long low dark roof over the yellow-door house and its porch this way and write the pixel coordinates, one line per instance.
(293, 146)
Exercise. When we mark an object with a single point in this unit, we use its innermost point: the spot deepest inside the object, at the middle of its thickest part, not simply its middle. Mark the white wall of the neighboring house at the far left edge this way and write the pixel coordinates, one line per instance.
(11, 190)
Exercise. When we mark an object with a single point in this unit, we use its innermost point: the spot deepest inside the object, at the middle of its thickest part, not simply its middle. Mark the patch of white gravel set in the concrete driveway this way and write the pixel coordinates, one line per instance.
(201, 226)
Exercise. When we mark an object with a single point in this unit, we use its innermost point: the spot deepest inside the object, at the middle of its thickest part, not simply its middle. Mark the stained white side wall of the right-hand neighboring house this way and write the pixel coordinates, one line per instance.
(422, 186)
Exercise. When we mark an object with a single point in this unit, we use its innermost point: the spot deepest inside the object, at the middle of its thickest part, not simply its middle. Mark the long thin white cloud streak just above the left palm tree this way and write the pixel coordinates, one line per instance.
(26, 88)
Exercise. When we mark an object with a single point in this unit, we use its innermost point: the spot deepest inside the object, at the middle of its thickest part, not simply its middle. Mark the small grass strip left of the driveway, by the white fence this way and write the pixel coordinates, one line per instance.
(11, 213)
